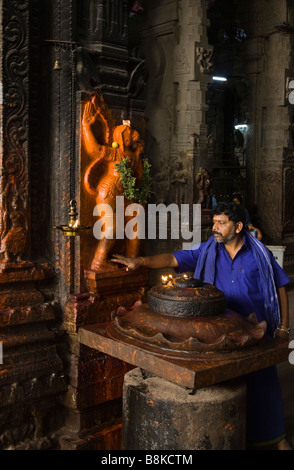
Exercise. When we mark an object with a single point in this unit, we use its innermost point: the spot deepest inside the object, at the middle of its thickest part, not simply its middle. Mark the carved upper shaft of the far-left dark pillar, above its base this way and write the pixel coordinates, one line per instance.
(14, 181)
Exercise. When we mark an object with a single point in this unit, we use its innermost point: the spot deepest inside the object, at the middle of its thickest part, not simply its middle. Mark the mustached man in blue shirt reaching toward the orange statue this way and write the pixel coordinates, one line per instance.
(252, 281)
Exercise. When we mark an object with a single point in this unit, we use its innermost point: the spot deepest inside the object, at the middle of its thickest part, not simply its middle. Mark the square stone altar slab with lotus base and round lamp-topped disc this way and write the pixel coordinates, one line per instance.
(194, 345)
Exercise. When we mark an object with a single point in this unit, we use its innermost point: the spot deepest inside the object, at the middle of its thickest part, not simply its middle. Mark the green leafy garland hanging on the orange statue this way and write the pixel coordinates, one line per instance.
(132, 192)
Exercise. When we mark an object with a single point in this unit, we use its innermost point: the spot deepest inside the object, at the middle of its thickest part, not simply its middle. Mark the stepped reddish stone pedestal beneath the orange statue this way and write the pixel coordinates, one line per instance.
(95, 380)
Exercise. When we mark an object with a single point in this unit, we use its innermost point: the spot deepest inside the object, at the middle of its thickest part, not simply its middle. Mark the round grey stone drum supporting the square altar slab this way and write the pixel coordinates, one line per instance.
(159, 415)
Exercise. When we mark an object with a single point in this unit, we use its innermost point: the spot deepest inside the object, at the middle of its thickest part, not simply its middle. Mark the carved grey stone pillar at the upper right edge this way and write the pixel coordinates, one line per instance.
(270, 145)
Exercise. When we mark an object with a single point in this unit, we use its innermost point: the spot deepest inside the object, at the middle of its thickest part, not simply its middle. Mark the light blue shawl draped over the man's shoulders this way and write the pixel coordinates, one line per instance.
(205, 270)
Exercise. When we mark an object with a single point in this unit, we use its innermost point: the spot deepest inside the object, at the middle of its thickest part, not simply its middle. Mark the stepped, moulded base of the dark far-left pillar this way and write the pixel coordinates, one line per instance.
(31, 370)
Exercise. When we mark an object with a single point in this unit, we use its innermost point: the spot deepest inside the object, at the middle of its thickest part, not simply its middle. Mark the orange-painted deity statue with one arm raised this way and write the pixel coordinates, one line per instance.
(106, 148)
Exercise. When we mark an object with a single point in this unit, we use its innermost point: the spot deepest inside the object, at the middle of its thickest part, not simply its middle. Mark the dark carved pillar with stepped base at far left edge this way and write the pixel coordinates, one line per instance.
(32, 372)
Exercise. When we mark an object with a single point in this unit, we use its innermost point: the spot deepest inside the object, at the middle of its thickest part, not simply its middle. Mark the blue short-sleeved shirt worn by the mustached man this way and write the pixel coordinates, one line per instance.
(238, 278)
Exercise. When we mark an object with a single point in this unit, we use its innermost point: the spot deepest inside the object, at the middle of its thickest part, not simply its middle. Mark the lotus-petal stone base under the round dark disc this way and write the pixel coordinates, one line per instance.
(187, 335)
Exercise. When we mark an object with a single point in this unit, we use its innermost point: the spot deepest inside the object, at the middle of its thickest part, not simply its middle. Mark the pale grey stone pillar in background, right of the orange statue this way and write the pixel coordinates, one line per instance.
(179, 68)
